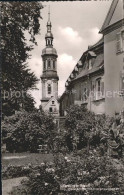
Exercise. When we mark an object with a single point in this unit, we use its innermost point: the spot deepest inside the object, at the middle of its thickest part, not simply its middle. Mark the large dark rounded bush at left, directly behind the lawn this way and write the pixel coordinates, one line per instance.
(25, 131)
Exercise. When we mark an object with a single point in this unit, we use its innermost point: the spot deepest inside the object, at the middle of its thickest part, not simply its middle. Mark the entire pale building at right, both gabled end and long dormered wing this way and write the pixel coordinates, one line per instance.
(97, 80)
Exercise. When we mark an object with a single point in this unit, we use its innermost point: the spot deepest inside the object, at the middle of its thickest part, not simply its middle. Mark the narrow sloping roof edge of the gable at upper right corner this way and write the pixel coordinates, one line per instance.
(109, 15)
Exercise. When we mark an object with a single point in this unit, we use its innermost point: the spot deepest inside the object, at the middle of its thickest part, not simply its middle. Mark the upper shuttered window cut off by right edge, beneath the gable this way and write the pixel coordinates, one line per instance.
(120, 42)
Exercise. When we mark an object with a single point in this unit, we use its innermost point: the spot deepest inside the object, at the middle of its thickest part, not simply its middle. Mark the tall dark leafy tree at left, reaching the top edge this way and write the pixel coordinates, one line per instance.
(16, 19)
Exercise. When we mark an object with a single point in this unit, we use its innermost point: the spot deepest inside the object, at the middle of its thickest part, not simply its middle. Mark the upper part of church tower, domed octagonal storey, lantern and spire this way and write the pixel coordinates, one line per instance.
(49, 55)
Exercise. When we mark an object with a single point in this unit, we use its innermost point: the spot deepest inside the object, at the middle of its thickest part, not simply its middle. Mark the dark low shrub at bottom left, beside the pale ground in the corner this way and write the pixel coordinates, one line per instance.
(41, 180)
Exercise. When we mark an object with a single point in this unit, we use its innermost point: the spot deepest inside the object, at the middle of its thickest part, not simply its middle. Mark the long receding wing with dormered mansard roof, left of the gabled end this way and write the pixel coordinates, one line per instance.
(85, 85)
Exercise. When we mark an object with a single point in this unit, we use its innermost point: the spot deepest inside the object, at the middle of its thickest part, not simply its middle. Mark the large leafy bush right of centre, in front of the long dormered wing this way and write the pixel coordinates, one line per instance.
(84, 127)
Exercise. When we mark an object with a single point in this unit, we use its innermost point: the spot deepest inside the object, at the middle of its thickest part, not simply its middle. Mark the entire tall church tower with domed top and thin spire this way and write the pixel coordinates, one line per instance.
(49, 77)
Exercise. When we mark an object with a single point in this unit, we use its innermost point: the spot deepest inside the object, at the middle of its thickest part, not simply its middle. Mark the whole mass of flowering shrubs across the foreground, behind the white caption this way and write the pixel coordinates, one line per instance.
(73, 172)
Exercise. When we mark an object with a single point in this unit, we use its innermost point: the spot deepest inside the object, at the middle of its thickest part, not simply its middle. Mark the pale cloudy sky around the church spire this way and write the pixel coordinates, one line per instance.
(75, 25)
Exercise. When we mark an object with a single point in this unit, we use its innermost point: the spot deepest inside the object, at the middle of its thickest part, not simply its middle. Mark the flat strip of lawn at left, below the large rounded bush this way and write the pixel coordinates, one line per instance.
(25, 158)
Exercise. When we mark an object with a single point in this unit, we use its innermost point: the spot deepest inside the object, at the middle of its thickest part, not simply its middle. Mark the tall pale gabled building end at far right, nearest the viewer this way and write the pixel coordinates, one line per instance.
(113, 33)
